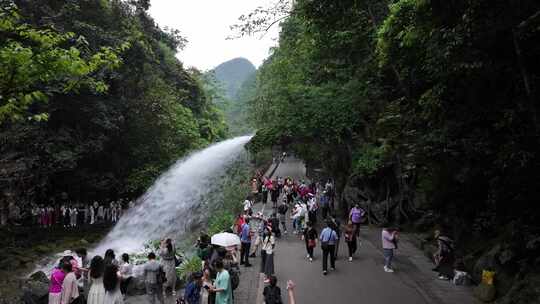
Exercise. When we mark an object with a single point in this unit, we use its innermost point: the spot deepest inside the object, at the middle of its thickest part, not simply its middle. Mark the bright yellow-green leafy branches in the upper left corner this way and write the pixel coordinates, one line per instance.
(37, 63)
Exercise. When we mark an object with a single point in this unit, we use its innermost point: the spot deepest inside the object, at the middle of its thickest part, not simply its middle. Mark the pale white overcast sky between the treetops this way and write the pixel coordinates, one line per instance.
(205, 24)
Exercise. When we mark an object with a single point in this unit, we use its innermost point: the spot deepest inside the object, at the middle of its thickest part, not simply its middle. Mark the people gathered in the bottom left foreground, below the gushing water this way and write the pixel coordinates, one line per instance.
(76, 279)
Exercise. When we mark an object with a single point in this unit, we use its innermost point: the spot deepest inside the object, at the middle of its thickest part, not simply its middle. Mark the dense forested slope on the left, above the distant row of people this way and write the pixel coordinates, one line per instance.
(94, 104)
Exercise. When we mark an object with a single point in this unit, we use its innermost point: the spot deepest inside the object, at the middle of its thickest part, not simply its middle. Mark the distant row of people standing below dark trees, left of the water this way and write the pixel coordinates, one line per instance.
(67, 214)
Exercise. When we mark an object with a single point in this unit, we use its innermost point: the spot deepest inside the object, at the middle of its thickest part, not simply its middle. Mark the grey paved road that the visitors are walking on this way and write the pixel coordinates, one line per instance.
(363, 280)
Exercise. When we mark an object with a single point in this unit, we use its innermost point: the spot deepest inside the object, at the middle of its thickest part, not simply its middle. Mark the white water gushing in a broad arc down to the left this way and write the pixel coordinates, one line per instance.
(167, 208)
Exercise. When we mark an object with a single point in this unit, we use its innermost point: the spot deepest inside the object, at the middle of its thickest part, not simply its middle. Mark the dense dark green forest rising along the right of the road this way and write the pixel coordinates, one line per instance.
(424, 111)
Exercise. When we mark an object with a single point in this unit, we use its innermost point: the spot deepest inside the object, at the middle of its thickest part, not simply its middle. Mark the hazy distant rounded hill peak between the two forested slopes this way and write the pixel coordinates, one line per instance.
(232, 74)
